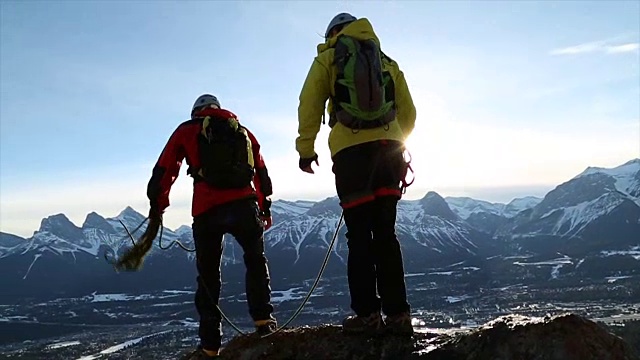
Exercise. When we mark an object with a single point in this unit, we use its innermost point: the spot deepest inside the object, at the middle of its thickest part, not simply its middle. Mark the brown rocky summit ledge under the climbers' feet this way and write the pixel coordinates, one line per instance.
(510, 337)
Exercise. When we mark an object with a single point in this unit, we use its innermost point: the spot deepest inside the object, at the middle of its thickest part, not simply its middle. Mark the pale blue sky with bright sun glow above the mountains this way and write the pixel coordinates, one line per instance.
(513, 97)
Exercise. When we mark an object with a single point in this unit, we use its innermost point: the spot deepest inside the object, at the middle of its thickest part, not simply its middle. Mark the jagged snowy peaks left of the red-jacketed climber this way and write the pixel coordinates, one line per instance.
(62, 258)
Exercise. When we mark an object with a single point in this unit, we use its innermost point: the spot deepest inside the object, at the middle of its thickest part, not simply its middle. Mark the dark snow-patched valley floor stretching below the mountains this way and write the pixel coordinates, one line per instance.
(163, 324)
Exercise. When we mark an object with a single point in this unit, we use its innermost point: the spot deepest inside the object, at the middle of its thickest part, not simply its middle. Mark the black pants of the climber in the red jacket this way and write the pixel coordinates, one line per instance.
(240, 219)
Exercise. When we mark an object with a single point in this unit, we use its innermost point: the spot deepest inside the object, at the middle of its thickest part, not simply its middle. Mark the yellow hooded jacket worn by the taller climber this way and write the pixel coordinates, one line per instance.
(318, 87)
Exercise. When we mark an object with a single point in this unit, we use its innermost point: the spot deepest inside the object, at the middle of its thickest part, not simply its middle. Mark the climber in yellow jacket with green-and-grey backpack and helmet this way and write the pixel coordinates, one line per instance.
(371, 113)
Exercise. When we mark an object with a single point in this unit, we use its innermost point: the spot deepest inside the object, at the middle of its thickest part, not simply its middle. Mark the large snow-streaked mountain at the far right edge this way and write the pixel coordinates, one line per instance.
(593, 220)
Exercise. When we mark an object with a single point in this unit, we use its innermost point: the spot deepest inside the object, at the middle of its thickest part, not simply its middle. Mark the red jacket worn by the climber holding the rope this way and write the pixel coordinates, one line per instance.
(183, 144)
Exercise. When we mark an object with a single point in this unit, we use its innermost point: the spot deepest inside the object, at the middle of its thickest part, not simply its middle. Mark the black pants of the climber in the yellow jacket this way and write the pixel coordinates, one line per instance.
(368, 176)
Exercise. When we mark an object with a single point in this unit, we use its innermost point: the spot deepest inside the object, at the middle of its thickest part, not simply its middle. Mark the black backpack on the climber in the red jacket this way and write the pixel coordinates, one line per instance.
(226, 156)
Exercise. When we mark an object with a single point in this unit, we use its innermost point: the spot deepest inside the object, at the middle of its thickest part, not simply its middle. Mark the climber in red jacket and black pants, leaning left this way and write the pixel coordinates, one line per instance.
(230, 195)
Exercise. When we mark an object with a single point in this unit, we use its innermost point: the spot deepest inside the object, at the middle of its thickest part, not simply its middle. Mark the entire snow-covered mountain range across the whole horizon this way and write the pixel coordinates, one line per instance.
(593, 220)
